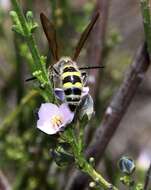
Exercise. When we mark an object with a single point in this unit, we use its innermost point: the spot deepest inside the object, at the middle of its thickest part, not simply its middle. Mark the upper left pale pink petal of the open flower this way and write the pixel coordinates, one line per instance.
(47, 110)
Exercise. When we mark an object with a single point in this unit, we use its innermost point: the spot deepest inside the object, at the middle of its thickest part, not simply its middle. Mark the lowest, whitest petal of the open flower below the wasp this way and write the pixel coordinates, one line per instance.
(47, 127)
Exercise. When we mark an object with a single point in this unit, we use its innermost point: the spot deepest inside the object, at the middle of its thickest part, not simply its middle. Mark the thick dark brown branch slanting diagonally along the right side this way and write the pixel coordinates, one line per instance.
(114, 114)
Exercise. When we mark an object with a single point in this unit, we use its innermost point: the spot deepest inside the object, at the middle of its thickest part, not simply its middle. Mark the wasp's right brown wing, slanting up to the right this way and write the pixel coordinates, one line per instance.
(85, 35)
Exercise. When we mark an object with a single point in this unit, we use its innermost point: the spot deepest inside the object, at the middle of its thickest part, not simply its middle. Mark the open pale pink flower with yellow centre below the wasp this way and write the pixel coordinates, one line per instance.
(52, 118)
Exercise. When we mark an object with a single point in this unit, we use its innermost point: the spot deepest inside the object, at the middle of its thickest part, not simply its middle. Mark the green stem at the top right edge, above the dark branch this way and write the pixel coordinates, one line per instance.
(145, 8)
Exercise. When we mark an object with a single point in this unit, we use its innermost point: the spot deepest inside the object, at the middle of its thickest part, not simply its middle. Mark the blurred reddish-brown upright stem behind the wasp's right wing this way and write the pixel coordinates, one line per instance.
(97, 43)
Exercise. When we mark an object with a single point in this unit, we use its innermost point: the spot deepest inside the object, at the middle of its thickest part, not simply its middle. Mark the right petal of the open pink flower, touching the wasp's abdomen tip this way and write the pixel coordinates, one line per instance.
(66, 113)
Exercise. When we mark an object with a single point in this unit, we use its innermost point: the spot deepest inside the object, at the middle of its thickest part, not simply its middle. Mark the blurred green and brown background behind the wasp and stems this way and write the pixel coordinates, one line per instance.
(25, 162)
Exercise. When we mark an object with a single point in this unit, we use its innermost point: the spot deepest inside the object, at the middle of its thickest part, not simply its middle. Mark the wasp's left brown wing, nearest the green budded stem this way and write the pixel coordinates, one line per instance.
(50, 33)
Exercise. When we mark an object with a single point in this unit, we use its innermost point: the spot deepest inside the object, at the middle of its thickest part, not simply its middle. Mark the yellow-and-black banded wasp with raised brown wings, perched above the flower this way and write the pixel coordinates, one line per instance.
(72, 78)
